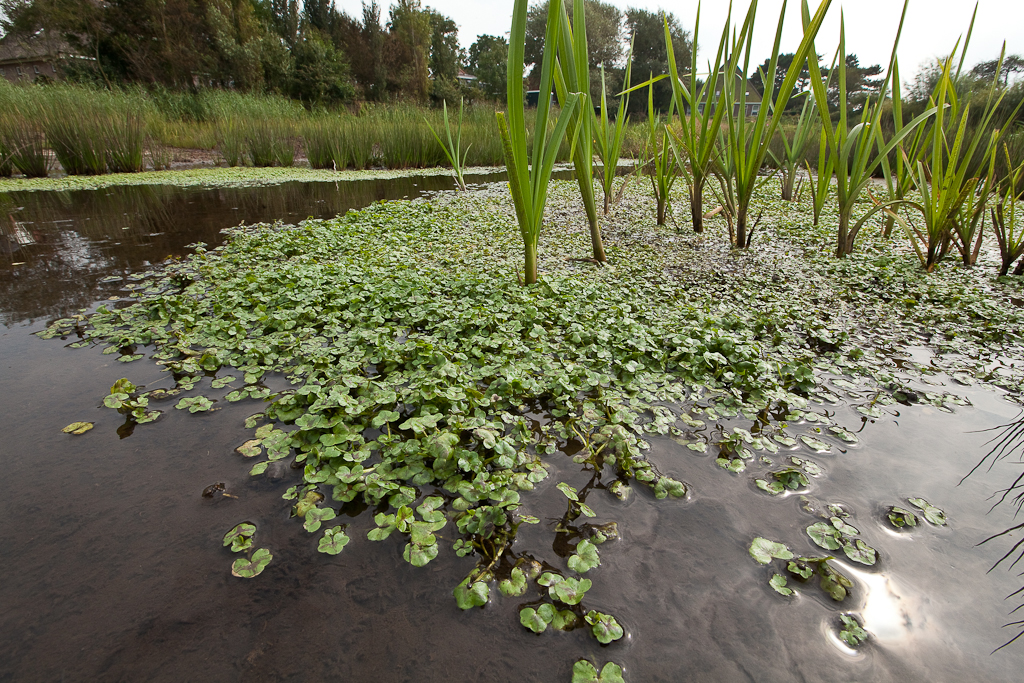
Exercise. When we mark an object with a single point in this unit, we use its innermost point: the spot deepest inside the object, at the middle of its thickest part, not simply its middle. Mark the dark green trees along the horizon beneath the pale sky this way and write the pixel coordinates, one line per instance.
(310, 51)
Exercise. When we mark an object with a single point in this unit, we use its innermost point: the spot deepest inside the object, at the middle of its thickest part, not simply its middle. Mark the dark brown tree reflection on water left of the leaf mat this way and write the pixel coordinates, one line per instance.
(56, 247)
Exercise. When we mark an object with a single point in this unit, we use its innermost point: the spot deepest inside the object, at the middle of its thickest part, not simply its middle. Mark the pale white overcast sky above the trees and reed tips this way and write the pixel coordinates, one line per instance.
(931, 30)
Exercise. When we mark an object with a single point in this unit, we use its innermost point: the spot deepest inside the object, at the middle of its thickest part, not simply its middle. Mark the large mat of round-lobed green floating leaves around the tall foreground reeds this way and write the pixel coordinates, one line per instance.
(430, 390)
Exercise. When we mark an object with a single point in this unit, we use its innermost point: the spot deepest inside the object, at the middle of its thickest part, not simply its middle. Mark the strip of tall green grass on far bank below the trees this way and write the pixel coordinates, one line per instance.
(48, 131)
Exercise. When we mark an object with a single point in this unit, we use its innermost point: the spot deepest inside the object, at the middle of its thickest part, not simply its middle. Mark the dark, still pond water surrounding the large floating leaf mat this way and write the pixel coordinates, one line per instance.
(113, 565)
